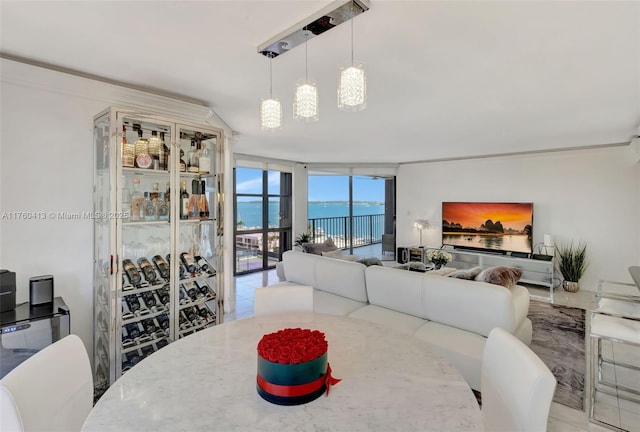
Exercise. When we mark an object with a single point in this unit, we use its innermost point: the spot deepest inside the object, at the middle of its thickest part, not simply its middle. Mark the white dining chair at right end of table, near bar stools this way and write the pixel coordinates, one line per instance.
(517, 387)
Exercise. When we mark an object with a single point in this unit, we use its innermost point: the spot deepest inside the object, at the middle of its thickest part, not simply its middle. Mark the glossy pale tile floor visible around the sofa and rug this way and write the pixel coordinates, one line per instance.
(561, 418)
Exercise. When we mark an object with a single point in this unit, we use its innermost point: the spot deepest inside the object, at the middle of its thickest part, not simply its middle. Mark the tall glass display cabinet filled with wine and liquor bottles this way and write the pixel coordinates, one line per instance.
(157, 236)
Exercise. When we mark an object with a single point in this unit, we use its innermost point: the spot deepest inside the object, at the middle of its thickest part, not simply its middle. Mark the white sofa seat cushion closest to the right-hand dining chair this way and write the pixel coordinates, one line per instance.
(462, 348)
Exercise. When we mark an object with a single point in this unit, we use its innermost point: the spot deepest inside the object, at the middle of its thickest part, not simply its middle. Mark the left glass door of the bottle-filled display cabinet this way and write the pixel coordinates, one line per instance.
(146, 241)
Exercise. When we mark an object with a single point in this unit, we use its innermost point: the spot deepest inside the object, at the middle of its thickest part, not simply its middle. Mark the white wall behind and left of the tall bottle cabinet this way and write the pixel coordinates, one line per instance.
(46, 165)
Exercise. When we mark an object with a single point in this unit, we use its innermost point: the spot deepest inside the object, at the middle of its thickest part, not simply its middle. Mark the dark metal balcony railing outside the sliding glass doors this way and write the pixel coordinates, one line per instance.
(365, 230)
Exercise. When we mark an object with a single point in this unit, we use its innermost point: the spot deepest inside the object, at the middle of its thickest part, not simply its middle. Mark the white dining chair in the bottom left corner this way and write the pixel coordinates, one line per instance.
(50, 391)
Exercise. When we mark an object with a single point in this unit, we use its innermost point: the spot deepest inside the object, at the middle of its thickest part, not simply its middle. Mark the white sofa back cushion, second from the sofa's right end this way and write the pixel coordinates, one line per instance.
(400, 291)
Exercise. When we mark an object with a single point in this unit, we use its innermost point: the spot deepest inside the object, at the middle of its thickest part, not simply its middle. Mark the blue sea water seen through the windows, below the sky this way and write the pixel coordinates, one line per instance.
(250, 213)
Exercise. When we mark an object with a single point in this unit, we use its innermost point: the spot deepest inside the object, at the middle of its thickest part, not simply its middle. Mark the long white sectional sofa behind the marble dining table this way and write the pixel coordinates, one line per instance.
(453, 316)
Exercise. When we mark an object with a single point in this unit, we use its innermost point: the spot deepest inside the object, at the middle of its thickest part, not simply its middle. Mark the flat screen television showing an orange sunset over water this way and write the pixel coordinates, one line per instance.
(488, 226)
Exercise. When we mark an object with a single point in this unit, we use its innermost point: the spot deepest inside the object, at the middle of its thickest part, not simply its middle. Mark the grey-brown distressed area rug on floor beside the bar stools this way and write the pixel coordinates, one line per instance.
(558, 339)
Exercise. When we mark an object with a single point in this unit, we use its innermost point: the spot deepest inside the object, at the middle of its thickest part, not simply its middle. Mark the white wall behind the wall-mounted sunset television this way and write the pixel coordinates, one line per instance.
(582, 195)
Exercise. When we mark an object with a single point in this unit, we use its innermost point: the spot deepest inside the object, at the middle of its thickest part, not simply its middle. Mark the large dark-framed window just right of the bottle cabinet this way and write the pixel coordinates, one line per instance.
(262, 214)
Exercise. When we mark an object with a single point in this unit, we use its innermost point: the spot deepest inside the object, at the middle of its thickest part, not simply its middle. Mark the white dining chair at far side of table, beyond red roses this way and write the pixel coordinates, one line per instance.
(277, 299)
